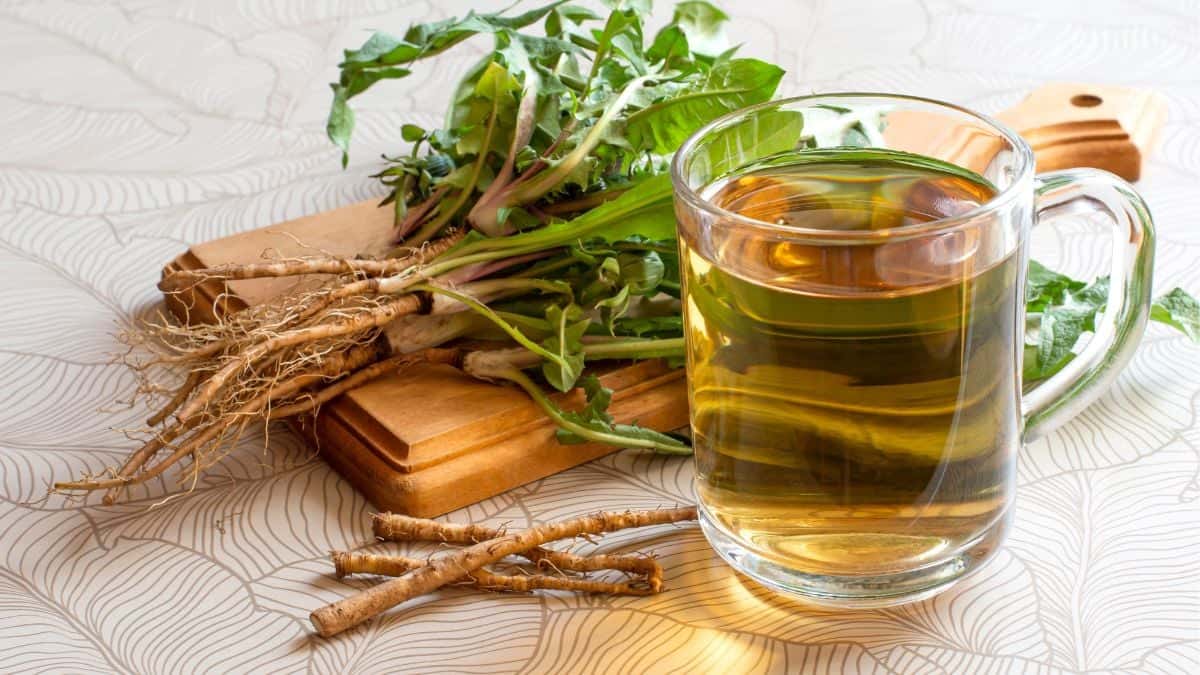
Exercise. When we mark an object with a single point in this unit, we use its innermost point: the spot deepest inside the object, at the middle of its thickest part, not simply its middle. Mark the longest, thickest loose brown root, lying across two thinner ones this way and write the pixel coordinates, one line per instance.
(333, 619)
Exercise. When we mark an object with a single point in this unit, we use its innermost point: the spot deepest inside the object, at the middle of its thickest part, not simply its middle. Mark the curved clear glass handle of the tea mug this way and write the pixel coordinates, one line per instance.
(1066, 393)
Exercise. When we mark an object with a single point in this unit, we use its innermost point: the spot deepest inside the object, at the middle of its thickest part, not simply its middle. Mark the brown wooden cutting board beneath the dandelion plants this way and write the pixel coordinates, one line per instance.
(430, 440)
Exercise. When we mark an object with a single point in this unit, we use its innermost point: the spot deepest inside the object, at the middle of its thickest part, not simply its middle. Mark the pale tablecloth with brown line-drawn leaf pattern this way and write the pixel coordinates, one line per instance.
(131, 129)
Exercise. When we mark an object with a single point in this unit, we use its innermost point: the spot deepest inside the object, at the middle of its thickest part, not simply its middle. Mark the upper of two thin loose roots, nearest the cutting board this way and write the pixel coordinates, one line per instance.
(398, 528)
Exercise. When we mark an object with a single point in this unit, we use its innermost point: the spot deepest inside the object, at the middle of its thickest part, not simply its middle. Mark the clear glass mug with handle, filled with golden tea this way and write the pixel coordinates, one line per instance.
(854, 271)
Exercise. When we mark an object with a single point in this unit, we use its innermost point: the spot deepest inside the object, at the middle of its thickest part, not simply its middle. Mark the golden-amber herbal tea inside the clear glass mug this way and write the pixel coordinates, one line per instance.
(854, 408)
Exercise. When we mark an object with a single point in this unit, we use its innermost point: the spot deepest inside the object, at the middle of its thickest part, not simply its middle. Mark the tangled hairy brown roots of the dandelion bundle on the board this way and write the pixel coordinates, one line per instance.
(267, 355)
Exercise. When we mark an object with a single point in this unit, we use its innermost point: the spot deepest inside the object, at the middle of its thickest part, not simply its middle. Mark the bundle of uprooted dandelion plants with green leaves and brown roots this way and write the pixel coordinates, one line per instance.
(539, 217)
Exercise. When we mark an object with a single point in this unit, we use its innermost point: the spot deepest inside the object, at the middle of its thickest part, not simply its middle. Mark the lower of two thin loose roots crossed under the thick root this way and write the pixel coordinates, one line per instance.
(347, 563)
